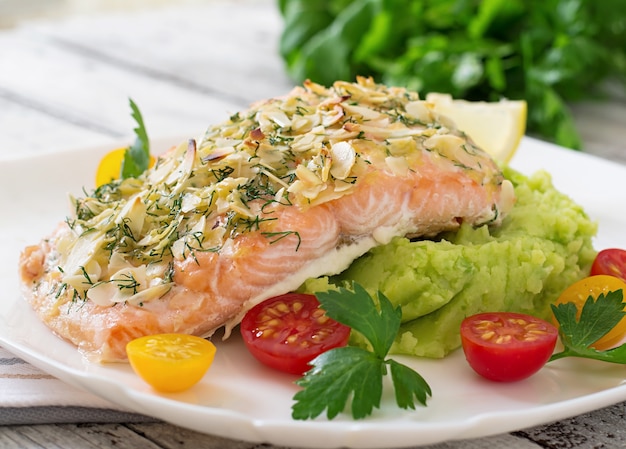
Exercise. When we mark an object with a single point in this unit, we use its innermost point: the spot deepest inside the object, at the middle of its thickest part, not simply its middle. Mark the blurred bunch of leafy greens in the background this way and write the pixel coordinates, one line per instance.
(548, 52)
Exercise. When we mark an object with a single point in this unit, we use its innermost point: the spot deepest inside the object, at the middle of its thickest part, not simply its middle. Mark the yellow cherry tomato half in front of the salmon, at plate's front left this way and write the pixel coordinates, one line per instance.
(170, 362)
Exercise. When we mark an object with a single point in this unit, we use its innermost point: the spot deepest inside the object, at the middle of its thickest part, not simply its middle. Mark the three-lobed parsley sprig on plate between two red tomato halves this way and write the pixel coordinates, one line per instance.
(355, 373)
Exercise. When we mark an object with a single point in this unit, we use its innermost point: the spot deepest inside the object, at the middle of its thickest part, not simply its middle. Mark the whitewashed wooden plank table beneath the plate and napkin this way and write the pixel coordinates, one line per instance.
(66, 84)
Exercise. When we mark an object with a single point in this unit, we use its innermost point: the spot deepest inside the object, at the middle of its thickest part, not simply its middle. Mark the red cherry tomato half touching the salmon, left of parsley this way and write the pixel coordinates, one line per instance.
(288, 331)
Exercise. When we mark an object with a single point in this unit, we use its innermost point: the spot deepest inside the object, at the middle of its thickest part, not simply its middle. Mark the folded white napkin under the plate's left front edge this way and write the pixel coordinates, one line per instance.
(30, 396)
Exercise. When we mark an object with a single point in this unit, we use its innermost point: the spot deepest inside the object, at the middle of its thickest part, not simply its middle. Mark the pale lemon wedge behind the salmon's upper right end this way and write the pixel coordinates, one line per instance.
(496, 127)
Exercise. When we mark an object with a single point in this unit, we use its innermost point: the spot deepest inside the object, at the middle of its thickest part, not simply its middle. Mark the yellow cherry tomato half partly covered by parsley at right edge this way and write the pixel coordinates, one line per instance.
(593, 286)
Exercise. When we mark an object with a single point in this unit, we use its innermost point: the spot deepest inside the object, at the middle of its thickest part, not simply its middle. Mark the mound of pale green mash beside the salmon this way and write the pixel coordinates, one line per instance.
(543, 245)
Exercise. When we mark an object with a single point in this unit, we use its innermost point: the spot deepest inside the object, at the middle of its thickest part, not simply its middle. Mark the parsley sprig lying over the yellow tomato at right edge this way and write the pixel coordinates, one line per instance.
(597, 318)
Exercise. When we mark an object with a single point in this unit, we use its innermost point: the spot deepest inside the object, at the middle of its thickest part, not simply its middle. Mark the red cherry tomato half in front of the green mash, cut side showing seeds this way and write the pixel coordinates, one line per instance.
(507, 347)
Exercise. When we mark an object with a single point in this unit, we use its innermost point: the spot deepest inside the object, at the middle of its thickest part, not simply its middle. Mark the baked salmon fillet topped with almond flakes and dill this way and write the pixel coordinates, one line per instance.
(293, 188)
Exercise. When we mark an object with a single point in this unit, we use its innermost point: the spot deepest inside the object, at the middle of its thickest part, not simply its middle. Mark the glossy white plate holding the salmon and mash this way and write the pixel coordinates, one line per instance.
(240, 399)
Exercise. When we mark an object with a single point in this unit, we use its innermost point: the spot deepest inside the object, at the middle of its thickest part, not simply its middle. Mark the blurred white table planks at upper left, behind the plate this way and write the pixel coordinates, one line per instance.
(68, 86)
